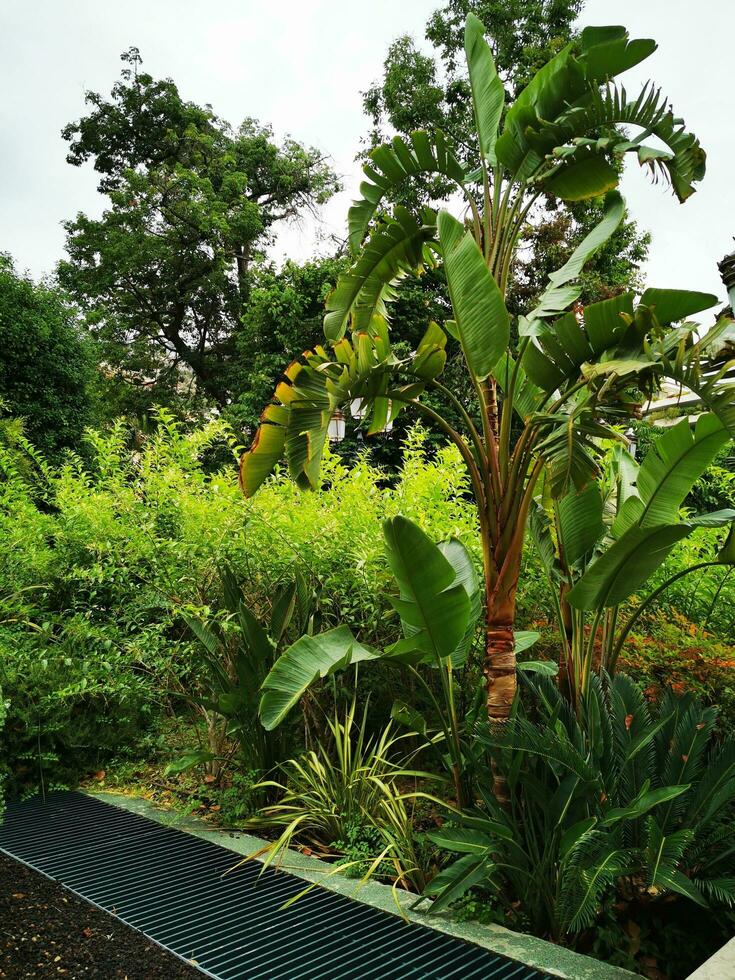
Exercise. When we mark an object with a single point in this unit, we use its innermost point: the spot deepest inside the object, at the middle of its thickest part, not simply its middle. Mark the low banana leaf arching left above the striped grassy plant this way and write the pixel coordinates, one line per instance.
(306, 660)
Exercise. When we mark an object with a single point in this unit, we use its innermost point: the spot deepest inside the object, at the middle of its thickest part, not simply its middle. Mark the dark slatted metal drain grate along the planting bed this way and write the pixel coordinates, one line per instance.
(173, 887)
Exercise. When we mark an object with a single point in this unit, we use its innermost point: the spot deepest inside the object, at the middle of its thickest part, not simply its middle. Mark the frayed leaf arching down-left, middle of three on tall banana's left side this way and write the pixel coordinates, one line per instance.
(395, 249)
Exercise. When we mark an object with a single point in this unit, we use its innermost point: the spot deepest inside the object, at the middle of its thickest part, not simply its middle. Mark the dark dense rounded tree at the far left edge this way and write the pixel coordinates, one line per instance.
(46, 368)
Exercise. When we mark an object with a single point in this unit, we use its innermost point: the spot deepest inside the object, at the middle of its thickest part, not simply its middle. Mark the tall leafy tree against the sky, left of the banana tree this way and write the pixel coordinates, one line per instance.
(164, 274)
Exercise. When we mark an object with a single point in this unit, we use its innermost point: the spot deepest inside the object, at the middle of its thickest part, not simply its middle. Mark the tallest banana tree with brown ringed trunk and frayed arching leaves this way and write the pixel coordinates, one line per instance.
(570, 374)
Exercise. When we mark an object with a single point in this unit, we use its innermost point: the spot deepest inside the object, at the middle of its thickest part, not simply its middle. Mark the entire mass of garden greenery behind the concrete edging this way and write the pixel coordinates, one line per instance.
(489, 662)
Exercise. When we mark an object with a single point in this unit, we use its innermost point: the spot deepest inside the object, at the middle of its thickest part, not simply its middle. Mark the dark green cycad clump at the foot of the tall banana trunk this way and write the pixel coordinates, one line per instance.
(629, 801)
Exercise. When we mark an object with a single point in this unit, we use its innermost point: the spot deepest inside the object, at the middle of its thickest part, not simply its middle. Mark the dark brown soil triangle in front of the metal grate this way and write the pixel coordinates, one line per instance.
(47, 931)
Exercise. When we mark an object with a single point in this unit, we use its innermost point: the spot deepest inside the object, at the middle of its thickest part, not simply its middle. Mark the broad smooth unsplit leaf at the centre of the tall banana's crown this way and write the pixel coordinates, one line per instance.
(482, 320)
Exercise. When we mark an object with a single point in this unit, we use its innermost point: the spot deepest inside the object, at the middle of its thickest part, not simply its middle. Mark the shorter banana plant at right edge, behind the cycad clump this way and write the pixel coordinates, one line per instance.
(601, 545)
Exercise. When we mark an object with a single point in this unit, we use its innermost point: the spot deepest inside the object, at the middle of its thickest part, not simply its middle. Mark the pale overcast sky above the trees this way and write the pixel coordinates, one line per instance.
(301, 65)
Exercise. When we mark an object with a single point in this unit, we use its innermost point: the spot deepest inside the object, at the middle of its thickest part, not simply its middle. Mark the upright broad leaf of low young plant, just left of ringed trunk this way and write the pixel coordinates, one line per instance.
(434, 604)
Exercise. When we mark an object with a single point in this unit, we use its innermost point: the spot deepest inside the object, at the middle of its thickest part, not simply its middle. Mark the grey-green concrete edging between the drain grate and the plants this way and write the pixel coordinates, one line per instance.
(533, 952)
